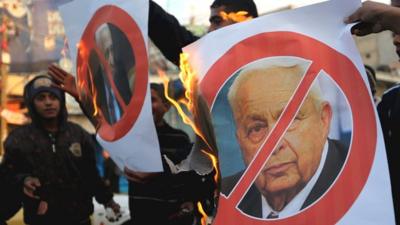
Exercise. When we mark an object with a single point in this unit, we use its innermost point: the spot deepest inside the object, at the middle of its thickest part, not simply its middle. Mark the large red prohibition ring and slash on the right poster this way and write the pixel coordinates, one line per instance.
(339, 198)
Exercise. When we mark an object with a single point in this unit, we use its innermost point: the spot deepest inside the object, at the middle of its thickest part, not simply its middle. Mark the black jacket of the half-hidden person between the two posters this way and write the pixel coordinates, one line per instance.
(163, 195)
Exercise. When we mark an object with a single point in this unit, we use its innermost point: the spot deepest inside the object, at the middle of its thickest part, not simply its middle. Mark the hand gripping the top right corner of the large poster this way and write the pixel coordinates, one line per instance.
(374, 17)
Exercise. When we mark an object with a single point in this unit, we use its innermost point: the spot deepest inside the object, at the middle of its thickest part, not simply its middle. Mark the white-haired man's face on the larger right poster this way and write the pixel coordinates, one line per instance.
(258, 102)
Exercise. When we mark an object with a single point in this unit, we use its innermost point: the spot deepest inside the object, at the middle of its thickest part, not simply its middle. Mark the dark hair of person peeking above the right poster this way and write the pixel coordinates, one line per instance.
(237, 5)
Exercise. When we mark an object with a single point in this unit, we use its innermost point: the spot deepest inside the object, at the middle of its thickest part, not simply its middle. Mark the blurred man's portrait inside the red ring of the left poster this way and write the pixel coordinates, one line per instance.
(118, 54)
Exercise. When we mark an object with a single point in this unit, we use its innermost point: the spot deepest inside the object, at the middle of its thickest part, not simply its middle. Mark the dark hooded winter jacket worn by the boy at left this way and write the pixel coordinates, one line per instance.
(64, 163)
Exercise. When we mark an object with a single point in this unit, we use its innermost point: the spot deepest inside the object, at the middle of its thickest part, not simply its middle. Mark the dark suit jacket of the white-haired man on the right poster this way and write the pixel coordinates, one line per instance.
(251, 203)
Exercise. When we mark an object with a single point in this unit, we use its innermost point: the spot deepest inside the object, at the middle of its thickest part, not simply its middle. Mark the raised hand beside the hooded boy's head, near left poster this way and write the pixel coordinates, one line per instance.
(63, 80)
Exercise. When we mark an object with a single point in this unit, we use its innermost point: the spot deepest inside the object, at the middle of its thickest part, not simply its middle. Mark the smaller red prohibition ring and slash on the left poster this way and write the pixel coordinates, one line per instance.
(122, 20)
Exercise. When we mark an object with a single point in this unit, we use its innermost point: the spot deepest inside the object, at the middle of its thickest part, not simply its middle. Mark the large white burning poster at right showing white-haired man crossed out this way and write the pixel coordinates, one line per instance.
(297, 133)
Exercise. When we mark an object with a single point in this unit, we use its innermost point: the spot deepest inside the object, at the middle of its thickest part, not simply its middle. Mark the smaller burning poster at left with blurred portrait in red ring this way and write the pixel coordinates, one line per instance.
(108, 43)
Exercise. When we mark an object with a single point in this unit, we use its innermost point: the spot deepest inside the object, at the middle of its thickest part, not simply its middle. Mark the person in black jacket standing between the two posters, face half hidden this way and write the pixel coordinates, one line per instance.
(169, 198)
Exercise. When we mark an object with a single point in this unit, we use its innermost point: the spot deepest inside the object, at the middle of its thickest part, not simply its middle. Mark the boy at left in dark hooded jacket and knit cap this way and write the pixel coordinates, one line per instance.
(53, 162)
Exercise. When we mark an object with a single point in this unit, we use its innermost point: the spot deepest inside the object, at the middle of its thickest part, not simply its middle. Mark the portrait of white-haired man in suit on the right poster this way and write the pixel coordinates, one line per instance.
(305, 162)
